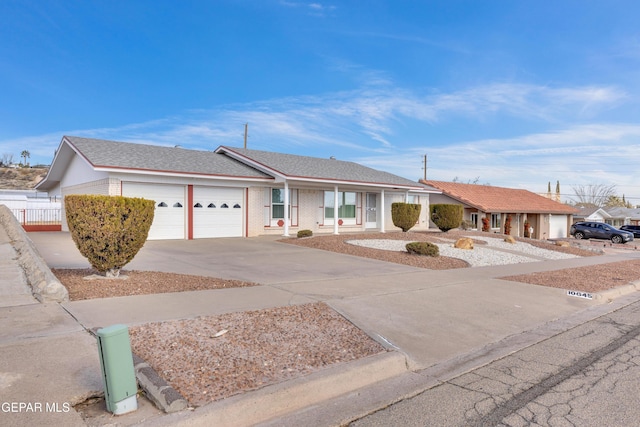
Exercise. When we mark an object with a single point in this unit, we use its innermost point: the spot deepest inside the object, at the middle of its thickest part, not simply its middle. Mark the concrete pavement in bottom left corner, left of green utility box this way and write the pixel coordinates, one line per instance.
(48, 362)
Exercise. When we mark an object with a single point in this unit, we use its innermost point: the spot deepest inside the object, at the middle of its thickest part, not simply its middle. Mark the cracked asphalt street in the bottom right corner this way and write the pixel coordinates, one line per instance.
(587, 376)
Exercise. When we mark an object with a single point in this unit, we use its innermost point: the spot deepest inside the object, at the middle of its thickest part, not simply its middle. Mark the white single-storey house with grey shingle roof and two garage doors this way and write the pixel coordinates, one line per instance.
(234, 192)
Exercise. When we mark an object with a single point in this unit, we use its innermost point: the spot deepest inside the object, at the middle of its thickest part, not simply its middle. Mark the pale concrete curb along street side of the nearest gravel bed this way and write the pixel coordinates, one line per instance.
(280, 399)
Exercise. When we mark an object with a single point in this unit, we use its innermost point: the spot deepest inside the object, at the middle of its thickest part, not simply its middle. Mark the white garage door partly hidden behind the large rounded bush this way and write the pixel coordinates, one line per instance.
(170, 212)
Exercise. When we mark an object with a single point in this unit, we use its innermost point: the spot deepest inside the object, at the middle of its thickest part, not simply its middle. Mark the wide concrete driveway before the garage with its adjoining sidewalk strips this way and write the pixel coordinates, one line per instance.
(430, 316)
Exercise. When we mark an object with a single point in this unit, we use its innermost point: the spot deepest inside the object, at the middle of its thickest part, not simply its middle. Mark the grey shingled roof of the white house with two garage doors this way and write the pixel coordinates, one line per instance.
(223, 162)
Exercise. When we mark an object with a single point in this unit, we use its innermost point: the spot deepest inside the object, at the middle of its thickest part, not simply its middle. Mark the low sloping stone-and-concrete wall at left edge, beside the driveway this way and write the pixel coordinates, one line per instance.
(44, 285)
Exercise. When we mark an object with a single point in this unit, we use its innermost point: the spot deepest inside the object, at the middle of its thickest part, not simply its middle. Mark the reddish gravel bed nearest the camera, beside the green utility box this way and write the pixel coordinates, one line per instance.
(259, 348)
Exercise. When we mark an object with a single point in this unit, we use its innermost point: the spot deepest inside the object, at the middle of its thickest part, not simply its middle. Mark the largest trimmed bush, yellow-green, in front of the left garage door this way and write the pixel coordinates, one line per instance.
(108, 230)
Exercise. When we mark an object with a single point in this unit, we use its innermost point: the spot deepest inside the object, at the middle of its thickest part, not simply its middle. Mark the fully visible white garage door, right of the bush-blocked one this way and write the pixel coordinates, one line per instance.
(217, 212)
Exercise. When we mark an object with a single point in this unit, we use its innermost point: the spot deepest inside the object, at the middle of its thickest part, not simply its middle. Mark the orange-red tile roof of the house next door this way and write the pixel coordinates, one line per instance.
(499, 199)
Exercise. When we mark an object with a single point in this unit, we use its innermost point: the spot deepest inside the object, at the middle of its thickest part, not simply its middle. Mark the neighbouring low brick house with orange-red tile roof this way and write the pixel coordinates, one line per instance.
(547, 218)
